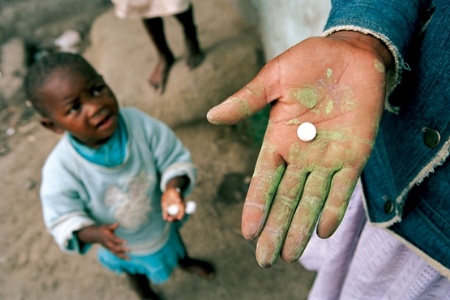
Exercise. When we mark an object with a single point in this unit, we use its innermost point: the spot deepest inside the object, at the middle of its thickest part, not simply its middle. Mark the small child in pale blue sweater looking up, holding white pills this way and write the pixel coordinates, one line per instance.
(112, 176)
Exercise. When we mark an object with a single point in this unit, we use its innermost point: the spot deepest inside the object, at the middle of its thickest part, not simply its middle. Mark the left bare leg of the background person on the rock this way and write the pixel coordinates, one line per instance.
(155, 29)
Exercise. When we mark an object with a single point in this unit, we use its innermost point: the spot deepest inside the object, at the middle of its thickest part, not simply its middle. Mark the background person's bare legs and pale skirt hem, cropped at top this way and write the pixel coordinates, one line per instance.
(151, 13)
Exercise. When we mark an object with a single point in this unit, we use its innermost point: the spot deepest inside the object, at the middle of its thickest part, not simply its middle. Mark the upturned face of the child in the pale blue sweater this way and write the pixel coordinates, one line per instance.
(81, 104)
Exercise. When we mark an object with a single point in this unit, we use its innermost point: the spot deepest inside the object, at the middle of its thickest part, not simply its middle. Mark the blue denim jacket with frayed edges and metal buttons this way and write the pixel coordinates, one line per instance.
(406, 182)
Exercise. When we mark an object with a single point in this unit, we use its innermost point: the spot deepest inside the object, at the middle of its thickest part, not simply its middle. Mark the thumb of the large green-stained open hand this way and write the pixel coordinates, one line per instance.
(245, 102)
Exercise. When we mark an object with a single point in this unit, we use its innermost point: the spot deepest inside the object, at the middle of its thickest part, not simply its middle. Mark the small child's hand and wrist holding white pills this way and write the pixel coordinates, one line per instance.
(173, 195)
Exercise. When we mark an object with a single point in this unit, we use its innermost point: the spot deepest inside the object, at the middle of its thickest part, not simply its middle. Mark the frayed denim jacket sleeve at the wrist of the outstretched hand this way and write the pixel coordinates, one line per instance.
(395, 22)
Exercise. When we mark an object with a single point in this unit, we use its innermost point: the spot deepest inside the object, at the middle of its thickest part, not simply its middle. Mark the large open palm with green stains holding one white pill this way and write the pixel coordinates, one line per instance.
(338, 84)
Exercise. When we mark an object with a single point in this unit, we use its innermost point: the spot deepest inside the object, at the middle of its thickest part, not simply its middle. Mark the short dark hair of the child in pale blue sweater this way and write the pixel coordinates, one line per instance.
(39, 71)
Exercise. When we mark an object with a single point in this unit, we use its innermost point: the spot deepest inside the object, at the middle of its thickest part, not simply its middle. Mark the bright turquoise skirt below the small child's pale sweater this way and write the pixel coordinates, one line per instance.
(157, 266)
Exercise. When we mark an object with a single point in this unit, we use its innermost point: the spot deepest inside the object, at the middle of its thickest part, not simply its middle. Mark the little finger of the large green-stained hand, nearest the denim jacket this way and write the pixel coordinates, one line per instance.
(341, 190)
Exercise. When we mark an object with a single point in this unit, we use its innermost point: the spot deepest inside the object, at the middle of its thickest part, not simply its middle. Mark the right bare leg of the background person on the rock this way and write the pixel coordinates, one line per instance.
(194, 53)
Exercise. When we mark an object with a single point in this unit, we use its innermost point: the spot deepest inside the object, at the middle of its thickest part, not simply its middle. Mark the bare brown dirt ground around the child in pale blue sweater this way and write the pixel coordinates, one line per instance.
(33, 267)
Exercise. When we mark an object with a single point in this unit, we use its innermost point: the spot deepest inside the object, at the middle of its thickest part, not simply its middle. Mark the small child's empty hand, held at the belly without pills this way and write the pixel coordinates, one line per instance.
(105, 236)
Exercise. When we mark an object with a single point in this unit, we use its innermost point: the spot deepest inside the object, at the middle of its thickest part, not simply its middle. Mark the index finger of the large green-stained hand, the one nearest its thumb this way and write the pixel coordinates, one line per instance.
(269, 169)
